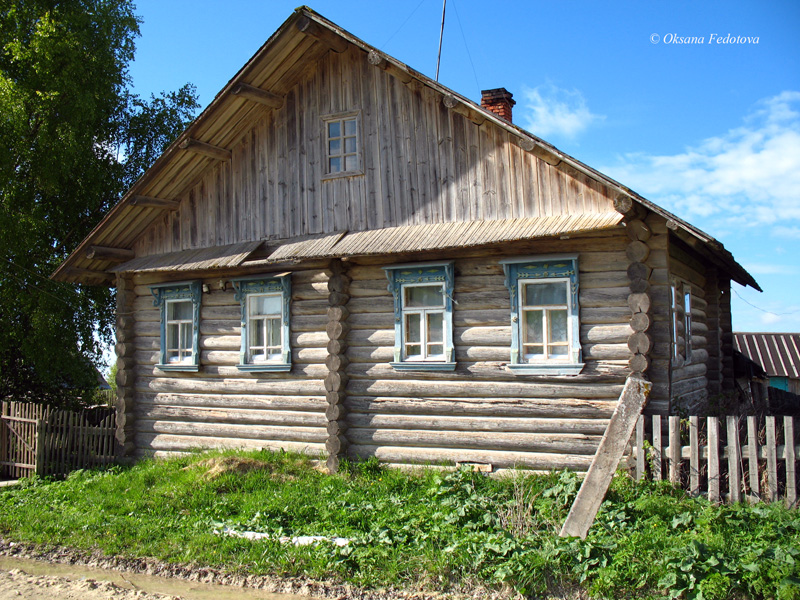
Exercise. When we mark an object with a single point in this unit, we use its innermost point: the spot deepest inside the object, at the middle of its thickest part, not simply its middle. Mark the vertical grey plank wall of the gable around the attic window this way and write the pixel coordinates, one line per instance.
(422, 163)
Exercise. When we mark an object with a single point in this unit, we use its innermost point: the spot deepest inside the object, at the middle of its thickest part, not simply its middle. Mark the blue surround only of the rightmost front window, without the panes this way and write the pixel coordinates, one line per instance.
(543, 267)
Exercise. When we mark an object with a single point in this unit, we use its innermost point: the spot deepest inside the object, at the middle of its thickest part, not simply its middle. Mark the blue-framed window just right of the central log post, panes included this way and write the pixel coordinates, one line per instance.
(423, 316)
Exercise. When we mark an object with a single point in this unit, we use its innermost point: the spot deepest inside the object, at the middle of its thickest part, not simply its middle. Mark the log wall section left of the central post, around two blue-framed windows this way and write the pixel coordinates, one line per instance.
(220, 405)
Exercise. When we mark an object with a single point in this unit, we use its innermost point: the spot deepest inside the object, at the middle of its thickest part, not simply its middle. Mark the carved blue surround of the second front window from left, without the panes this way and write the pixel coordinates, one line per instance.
(281, 284)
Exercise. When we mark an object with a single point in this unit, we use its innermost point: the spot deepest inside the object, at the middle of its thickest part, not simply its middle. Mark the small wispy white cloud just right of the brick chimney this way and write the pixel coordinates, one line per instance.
(552, 111)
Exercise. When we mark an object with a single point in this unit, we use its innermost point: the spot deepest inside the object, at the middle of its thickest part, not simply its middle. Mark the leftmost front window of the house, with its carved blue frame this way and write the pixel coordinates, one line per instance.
(180, 325)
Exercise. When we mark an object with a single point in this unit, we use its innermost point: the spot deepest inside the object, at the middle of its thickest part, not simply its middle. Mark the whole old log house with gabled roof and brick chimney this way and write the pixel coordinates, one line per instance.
(343, 257)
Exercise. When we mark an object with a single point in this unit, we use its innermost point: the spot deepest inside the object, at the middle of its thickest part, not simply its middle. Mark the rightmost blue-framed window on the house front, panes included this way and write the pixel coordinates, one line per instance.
(545, 326)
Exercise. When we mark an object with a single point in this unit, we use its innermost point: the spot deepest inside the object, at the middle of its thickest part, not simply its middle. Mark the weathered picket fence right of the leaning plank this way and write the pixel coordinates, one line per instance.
(726, 458)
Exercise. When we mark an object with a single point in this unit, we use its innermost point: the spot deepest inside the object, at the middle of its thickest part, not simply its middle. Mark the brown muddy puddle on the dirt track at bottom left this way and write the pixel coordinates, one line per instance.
(187, 590)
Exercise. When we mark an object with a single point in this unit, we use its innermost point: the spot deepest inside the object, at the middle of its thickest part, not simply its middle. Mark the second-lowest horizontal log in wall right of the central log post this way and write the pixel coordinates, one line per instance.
(567, 443)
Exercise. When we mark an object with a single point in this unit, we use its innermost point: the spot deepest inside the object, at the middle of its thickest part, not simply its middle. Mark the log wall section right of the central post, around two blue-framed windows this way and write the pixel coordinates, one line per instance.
(482, 412)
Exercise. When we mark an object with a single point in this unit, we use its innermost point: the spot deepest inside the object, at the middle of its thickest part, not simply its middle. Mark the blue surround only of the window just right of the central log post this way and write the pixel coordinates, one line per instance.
(398, 276)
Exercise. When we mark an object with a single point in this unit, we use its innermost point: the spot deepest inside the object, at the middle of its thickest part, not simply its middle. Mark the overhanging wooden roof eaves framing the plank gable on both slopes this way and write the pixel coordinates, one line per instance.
(302, 40)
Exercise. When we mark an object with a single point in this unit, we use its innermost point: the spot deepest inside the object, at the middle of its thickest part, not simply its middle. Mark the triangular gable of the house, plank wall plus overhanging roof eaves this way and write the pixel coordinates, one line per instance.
(255, 164)
